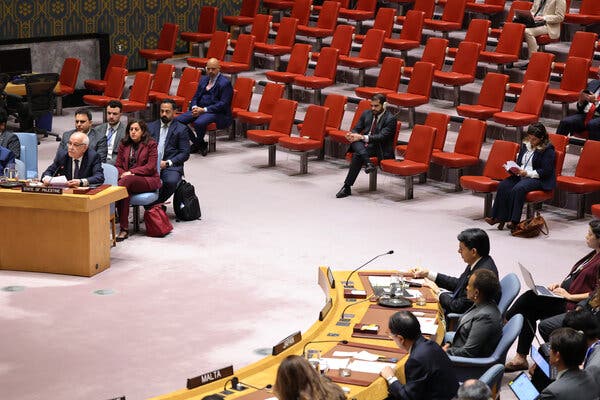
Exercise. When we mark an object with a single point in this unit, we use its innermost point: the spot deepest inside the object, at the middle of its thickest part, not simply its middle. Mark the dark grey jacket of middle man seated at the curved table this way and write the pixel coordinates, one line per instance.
(478, 331)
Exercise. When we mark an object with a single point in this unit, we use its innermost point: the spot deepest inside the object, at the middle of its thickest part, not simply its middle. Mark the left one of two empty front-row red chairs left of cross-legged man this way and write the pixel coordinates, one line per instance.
(279, 126)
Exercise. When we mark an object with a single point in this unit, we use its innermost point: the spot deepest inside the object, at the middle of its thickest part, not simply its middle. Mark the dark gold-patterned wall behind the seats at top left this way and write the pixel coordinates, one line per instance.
(131, 24)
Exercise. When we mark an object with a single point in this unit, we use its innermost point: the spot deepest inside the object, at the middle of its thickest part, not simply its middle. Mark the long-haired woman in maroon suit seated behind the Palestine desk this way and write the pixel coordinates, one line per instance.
(137, 160)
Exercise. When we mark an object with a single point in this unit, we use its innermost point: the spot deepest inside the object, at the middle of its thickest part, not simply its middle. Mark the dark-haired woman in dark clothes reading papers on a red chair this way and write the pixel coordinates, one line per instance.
(536, 162)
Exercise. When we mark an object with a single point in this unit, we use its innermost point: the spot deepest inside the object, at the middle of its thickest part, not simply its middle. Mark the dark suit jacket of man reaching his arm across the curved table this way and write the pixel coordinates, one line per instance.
(456, 301)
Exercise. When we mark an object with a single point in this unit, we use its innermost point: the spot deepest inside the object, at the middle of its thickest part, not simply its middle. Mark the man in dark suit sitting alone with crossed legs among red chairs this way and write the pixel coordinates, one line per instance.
(373, 136)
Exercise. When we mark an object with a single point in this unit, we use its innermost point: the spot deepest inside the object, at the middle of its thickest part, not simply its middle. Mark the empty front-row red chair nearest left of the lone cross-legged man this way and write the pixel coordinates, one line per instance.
(310, 138)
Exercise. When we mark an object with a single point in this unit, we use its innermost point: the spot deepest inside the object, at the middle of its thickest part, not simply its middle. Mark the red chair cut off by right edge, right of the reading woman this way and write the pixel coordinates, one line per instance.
(587, 176)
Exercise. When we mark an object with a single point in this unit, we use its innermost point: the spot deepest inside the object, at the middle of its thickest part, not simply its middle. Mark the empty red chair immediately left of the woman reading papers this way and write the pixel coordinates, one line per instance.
(493, 173)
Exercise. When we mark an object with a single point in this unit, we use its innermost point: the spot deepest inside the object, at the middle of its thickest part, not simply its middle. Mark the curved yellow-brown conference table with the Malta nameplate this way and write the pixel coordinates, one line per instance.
(359, 386)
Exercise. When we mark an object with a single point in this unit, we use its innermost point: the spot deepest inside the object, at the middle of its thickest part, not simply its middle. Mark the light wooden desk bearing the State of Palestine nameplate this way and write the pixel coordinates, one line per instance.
(60, 234)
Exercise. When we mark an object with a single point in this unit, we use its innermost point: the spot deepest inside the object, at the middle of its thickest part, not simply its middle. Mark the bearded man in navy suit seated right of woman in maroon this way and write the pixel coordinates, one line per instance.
(173, 148)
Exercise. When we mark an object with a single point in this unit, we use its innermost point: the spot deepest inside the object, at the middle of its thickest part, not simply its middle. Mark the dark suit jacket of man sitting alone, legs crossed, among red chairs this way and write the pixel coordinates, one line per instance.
(383, 138)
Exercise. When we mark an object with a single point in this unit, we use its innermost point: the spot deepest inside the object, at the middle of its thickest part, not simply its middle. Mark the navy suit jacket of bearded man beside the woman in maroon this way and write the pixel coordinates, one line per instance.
(177, 143)
